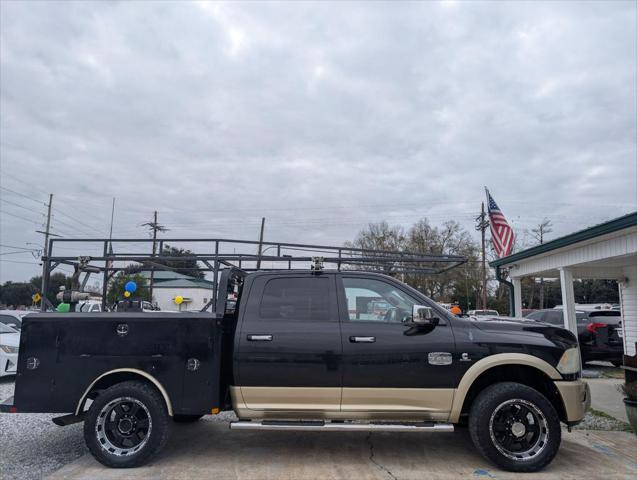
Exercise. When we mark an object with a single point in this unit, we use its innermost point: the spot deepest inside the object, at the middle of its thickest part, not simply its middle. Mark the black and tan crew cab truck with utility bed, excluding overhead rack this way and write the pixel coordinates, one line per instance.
(302, 350)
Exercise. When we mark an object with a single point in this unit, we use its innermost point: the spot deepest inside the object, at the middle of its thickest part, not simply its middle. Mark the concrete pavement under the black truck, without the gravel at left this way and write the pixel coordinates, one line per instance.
(209, 450)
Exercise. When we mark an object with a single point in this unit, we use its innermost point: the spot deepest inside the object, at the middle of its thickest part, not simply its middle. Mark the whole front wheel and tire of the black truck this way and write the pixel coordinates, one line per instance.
(515, 427)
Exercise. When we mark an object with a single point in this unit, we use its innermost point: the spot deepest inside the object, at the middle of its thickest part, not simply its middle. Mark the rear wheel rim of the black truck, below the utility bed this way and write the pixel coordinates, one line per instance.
(123, 426)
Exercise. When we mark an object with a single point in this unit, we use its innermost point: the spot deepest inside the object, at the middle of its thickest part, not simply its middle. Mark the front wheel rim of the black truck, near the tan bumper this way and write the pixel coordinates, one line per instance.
(518, 429)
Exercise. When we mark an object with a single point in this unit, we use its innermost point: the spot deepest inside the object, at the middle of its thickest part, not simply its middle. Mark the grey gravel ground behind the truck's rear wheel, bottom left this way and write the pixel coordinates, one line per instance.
(31, 446)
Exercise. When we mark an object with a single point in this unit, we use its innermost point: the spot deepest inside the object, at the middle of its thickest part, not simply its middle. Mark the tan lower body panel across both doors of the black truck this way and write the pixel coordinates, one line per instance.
(357, 403)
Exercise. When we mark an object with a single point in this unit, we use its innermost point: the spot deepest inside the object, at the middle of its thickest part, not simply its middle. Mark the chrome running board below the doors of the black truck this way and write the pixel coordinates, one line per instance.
(341, 426)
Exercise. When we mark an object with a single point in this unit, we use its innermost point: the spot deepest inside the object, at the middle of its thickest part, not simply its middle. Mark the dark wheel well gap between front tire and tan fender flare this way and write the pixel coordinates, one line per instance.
(526, 375)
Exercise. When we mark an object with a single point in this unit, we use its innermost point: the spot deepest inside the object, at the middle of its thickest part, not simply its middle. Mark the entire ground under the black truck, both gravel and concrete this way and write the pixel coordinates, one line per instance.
(31, 447)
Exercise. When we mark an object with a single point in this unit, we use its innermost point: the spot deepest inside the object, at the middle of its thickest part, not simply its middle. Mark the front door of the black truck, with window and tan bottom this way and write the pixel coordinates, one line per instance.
(389, 366)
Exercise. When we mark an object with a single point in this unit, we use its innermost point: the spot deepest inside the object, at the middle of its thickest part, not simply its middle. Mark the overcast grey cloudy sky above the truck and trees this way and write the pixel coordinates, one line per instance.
(320, 116)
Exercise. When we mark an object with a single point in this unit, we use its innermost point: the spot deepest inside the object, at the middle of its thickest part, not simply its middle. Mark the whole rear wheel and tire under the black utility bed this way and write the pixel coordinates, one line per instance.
(126, 425)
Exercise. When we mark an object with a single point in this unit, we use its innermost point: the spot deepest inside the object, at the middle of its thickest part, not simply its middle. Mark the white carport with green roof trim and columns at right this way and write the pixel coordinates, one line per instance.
(604, 251)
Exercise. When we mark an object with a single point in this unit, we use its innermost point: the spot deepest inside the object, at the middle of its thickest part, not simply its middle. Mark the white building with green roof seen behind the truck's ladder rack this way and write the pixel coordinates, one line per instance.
(168, 285)
